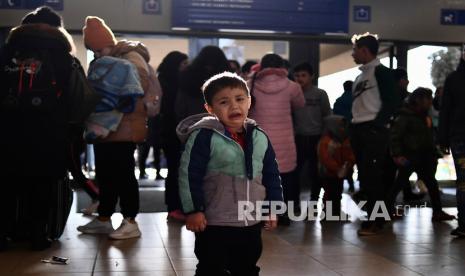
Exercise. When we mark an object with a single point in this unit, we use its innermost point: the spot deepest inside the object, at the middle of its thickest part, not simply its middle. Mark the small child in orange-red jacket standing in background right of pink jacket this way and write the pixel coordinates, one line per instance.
(335, 159)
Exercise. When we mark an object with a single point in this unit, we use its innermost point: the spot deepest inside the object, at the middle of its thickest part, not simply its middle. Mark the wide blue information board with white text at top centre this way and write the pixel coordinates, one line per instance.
(290, 16)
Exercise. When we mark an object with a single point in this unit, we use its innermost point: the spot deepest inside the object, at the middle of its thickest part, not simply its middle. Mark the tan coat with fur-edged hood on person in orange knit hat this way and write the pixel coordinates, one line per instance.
(133, 126)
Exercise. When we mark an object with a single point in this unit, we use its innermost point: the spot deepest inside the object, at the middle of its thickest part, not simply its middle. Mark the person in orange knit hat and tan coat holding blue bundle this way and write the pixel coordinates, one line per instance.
(127, 102)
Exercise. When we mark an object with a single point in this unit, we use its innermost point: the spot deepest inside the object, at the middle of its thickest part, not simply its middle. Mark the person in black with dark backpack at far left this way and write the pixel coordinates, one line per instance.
(36, 64)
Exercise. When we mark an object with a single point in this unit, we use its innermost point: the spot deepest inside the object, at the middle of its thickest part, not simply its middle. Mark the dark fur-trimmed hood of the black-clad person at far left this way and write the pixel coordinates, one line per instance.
(41, 36)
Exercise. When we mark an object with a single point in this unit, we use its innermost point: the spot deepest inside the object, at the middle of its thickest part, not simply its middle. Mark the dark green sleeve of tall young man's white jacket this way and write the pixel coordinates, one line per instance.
(389, 94)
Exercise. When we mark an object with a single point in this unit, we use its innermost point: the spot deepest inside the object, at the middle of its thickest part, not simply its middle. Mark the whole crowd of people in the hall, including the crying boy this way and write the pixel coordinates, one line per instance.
(265, 121)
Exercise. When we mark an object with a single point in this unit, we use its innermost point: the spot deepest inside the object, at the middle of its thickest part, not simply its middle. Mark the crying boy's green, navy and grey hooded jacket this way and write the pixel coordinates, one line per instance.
(216, 173)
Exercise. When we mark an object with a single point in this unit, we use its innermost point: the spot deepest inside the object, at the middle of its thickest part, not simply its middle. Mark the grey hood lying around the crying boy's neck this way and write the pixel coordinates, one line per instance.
(203, 120)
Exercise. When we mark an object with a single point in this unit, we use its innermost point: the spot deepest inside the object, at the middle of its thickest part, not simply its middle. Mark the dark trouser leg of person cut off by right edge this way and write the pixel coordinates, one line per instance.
(458, 152)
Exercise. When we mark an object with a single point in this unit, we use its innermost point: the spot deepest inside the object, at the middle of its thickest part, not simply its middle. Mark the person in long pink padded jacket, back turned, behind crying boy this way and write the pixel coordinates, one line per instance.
(273, 98)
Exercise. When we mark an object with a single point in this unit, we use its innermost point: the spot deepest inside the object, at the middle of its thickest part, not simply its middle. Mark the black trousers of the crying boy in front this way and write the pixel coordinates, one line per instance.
(225, 250)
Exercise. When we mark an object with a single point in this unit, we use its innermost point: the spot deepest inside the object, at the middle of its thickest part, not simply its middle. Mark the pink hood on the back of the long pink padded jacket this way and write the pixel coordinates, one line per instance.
(272, 80)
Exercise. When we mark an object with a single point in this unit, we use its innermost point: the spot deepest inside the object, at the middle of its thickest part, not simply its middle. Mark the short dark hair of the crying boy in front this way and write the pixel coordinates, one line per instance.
(221, 81)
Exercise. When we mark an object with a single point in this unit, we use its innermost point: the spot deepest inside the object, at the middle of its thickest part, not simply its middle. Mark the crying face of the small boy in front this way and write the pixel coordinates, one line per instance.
(231, 107)
